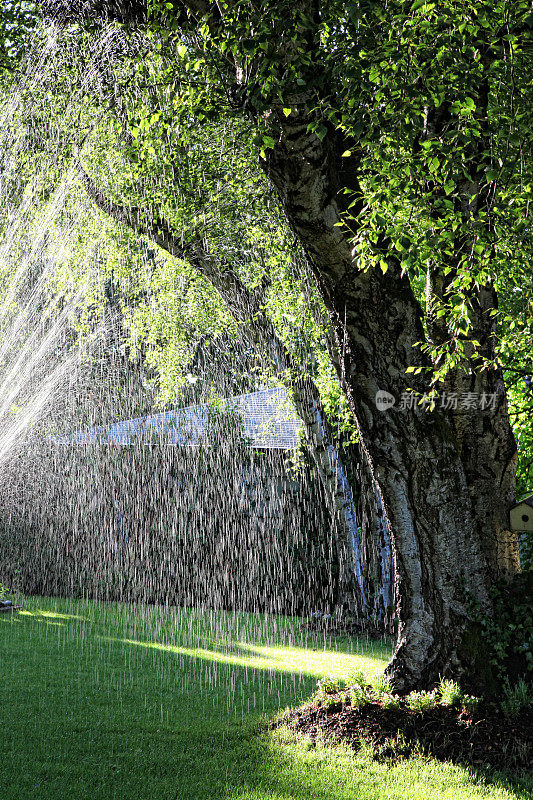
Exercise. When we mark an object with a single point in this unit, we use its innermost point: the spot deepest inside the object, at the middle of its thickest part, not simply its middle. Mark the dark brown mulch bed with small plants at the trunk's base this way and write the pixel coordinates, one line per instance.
(481, 738)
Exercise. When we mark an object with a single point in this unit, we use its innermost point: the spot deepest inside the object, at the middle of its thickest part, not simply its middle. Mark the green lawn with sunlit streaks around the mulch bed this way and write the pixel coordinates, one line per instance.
(116, 702)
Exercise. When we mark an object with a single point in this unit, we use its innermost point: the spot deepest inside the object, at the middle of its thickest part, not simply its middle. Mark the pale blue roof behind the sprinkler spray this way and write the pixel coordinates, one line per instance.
(269, 422)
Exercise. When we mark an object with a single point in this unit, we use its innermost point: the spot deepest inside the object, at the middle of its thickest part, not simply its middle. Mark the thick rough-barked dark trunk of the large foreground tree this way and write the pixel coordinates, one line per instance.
(446, 539)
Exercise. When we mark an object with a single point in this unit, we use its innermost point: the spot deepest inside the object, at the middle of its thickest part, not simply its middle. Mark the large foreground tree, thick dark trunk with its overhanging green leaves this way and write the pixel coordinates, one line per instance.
(397, 140)
